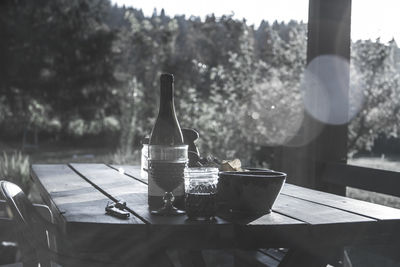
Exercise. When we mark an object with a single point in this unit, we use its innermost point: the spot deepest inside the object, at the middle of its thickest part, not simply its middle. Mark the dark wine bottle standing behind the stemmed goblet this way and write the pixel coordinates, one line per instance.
(166, 132)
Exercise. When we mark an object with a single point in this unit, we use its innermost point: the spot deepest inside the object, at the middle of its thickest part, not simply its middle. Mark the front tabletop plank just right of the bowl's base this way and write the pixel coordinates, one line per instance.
(314, 213)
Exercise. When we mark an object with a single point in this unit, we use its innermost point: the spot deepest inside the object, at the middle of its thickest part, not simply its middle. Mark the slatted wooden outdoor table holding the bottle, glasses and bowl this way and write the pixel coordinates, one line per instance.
(313, 224)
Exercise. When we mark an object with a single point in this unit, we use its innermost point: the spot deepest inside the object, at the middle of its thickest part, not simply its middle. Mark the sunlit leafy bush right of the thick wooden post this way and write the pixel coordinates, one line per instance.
(375, 71)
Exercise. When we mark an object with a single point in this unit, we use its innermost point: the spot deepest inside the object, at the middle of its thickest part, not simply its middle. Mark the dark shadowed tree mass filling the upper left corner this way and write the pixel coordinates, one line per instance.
(55, 63)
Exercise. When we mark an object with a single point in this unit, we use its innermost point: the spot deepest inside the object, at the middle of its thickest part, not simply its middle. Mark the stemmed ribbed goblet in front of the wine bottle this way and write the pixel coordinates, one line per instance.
(167, 168)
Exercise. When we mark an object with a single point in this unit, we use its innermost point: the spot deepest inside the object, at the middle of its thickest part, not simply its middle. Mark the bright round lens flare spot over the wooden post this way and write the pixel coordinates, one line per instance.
(327, 96)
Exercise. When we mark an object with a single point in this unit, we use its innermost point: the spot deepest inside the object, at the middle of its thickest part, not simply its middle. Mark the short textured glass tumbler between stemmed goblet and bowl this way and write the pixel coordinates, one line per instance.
(200, 192)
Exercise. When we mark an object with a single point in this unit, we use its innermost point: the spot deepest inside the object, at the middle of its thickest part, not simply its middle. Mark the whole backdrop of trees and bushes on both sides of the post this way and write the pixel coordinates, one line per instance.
(72, 70)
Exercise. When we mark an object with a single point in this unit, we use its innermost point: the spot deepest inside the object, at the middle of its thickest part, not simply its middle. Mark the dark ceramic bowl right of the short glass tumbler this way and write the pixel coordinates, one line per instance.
(249, 192)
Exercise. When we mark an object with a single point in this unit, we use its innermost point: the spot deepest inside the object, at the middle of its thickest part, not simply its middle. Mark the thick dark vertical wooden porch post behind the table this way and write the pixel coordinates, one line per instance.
(329, 37)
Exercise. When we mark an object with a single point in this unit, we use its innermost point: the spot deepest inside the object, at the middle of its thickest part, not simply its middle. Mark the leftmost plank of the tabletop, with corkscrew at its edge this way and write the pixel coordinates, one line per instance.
(71, 198)
